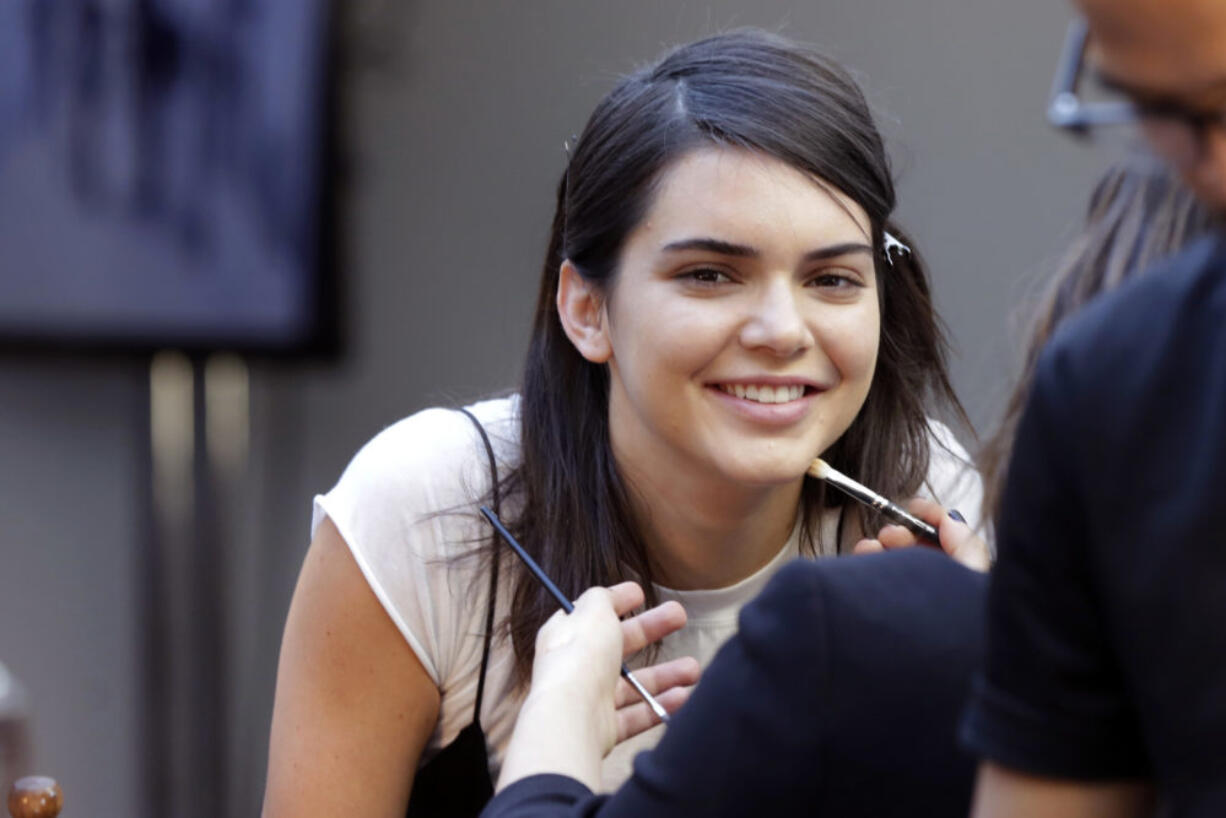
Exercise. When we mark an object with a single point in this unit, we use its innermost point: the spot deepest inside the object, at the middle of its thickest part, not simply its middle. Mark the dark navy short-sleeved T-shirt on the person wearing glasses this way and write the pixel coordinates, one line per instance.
(1108, 646)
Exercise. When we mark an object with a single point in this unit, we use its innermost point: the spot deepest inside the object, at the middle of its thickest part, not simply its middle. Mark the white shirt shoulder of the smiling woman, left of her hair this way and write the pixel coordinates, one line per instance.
(405, 508)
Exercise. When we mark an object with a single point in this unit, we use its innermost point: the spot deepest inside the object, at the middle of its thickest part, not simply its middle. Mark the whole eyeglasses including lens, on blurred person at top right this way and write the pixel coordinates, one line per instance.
(1178, 132)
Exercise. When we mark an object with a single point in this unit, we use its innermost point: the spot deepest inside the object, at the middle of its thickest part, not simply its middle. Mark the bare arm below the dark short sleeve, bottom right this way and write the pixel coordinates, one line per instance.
(1001, 793)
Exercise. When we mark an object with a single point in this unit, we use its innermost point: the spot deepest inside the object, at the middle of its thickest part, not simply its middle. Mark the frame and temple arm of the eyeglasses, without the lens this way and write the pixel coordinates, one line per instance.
(1068, 112)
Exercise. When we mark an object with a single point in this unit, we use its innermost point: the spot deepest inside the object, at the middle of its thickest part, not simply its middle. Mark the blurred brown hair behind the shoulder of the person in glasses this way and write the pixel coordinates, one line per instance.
(1138, 214)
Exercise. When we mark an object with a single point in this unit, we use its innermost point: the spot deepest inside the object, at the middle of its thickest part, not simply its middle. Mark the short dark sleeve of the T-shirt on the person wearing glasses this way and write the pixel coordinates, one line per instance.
(1051, 700)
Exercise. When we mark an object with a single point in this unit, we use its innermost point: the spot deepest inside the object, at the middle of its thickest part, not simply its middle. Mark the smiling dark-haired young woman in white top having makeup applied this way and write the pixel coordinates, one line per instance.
(717, 308)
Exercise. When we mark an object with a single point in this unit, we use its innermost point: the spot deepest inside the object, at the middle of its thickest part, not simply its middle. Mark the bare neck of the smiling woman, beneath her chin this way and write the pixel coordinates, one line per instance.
(703, 533)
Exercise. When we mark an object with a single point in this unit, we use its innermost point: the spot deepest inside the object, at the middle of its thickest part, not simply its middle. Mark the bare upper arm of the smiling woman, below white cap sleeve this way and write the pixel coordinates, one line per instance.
(354, 705)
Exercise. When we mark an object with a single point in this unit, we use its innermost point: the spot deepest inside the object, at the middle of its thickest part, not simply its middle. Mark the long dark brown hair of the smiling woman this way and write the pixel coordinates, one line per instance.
(747, 90)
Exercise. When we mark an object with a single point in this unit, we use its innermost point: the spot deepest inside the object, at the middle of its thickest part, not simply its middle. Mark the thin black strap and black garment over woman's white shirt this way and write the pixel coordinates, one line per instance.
(455, 783)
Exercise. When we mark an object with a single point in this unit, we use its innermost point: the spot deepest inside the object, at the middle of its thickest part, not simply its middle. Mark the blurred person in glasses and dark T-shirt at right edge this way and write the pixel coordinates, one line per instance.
(1106, 664)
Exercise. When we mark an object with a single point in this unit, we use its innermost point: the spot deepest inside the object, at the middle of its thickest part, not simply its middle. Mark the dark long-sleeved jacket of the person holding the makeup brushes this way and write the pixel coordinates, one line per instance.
(839, 696)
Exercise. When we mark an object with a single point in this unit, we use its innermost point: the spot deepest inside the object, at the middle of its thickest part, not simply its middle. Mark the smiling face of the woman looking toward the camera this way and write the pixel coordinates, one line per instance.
(742, 324)
